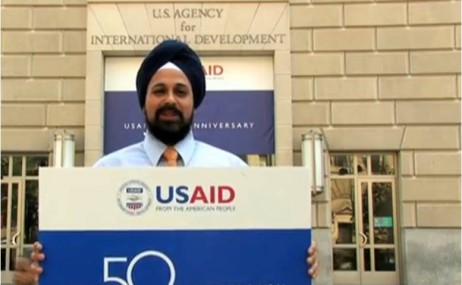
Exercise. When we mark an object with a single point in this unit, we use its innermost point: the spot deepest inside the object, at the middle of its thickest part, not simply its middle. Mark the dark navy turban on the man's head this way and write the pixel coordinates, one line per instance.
(182, 56)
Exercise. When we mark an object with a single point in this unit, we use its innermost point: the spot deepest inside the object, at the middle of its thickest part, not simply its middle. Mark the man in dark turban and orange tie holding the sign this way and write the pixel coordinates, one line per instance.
(171, 85)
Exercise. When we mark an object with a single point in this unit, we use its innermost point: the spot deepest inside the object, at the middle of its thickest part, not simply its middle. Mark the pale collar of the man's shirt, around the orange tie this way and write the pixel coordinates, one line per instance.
(155, 148)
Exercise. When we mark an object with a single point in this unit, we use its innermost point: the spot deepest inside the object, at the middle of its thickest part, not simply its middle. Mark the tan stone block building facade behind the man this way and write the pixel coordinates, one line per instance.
(380, 79)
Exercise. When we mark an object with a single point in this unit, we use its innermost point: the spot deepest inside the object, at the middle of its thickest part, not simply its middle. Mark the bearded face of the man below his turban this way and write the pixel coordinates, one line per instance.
(169, 106)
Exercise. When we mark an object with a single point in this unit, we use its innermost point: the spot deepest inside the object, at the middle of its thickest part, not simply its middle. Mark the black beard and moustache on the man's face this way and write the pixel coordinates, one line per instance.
(168, 132)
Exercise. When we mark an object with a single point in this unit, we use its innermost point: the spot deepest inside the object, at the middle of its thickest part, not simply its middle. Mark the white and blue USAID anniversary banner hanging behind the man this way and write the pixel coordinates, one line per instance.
(237, 113)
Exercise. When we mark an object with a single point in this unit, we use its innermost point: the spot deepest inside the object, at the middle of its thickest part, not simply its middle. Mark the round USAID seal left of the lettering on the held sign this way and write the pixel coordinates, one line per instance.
(134, 197)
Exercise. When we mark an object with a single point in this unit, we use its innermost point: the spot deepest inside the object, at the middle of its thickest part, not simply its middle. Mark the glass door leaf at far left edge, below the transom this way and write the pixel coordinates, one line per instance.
(12, 209)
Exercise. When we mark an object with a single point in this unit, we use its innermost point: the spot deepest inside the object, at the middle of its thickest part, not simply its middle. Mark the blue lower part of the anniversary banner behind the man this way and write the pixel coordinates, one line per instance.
(241, 122)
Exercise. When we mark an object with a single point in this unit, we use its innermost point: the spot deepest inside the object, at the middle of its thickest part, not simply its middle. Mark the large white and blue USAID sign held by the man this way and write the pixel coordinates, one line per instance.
(184, 226)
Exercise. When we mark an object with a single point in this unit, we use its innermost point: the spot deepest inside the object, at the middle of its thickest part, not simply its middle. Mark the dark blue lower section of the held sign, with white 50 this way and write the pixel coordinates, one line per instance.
(206, 257)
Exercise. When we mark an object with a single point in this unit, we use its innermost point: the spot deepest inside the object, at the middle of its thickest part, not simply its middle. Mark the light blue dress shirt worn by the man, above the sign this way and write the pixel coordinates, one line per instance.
(149, 152)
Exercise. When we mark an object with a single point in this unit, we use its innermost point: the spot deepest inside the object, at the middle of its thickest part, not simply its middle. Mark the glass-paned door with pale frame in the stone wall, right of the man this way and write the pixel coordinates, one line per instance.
(364, 226)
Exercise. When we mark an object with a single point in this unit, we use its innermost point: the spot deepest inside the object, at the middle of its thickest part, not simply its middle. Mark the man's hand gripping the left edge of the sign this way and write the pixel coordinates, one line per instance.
(28, 271)
